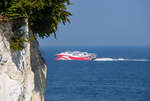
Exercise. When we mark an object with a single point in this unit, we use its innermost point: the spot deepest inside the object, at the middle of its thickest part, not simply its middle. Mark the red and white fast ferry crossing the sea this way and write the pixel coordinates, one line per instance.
(75, 55)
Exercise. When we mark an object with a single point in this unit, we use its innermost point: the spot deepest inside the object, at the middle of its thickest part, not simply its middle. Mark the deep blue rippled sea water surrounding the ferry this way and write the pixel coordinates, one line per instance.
(126, 80)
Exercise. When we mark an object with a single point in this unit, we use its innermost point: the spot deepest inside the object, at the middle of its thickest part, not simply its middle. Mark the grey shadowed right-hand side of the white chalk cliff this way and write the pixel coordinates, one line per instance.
(38, 67)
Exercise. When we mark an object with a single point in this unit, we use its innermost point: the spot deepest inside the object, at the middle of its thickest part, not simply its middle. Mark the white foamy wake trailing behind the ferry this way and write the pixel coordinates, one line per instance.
(119, 59)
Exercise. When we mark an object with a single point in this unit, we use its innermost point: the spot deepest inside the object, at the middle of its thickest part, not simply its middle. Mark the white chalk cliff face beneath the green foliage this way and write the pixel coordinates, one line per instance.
(22, 73)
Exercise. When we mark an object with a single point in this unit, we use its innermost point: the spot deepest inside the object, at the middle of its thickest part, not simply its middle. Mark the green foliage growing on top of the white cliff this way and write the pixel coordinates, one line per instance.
(43, 16)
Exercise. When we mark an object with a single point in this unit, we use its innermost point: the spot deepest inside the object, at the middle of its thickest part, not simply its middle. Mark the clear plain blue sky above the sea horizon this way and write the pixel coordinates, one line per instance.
(104, 23)
